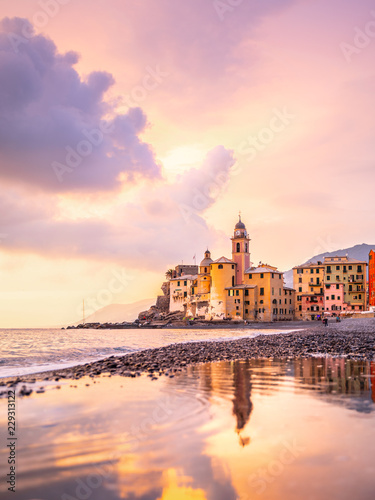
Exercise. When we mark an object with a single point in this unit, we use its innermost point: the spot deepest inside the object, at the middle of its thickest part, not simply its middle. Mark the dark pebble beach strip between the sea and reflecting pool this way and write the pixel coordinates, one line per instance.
(353, 340)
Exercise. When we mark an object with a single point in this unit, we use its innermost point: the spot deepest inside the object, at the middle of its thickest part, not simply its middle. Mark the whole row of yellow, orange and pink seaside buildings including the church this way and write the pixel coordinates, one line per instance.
(227, 289)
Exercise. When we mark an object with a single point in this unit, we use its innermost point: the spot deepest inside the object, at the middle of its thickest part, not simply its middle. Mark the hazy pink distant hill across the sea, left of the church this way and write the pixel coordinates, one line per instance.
(117, 313)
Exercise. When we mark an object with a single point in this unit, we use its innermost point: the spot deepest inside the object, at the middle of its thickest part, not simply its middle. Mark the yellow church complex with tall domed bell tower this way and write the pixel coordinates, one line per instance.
(231, 288)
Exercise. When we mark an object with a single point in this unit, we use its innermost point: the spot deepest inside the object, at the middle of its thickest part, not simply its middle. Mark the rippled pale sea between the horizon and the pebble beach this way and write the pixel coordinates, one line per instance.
(29, 350)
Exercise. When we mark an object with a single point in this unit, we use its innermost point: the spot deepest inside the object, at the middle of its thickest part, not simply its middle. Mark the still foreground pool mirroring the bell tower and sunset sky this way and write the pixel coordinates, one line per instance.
(228, 430)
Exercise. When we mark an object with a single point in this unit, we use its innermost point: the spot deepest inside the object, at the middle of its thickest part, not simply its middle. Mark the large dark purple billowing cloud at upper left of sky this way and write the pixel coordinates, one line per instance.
(57, 132)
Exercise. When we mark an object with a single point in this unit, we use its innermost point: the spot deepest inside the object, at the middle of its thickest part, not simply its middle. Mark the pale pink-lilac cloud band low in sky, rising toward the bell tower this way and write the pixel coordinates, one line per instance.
(166, 223)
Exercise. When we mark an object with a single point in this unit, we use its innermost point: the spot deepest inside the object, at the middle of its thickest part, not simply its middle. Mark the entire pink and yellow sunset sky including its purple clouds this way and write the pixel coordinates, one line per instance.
(132, 134)
